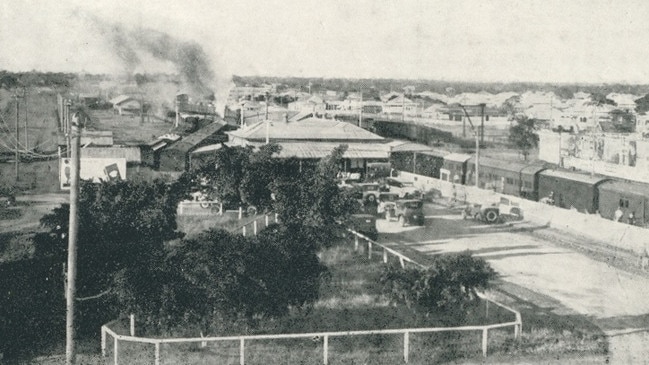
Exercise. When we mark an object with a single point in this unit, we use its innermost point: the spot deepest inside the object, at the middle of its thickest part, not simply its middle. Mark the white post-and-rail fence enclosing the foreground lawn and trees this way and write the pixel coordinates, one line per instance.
(242, 340)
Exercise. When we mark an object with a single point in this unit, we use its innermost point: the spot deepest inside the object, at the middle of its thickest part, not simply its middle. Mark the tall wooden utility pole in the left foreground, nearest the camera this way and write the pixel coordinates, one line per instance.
(70, 292)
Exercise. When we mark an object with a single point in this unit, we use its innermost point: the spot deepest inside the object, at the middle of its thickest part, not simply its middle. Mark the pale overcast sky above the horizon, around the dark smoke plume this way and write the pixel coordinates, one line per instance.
(554, 41)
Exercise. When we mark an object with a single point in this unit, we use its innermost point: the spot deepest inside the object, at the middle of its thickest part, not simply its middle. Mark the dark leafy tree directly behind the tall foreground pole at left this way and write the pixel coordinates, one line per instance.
(122, 230)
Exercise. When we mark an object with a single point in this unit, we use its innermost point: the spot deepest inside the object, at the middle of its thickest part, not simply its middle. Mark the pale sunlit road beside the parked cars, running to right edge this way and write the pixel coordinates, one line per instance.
(613, 299)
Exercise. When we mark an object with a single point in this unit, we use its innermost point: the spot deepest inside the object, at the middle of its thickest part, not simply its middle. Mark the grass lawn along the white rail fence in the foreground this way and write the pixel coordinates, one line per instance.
(350, 300)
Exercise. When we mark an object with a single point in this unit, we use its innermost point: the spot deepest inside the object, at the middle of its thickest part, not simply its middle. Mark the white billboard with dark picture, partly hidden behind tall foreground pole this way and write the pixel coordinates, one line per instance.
(95, 169)
